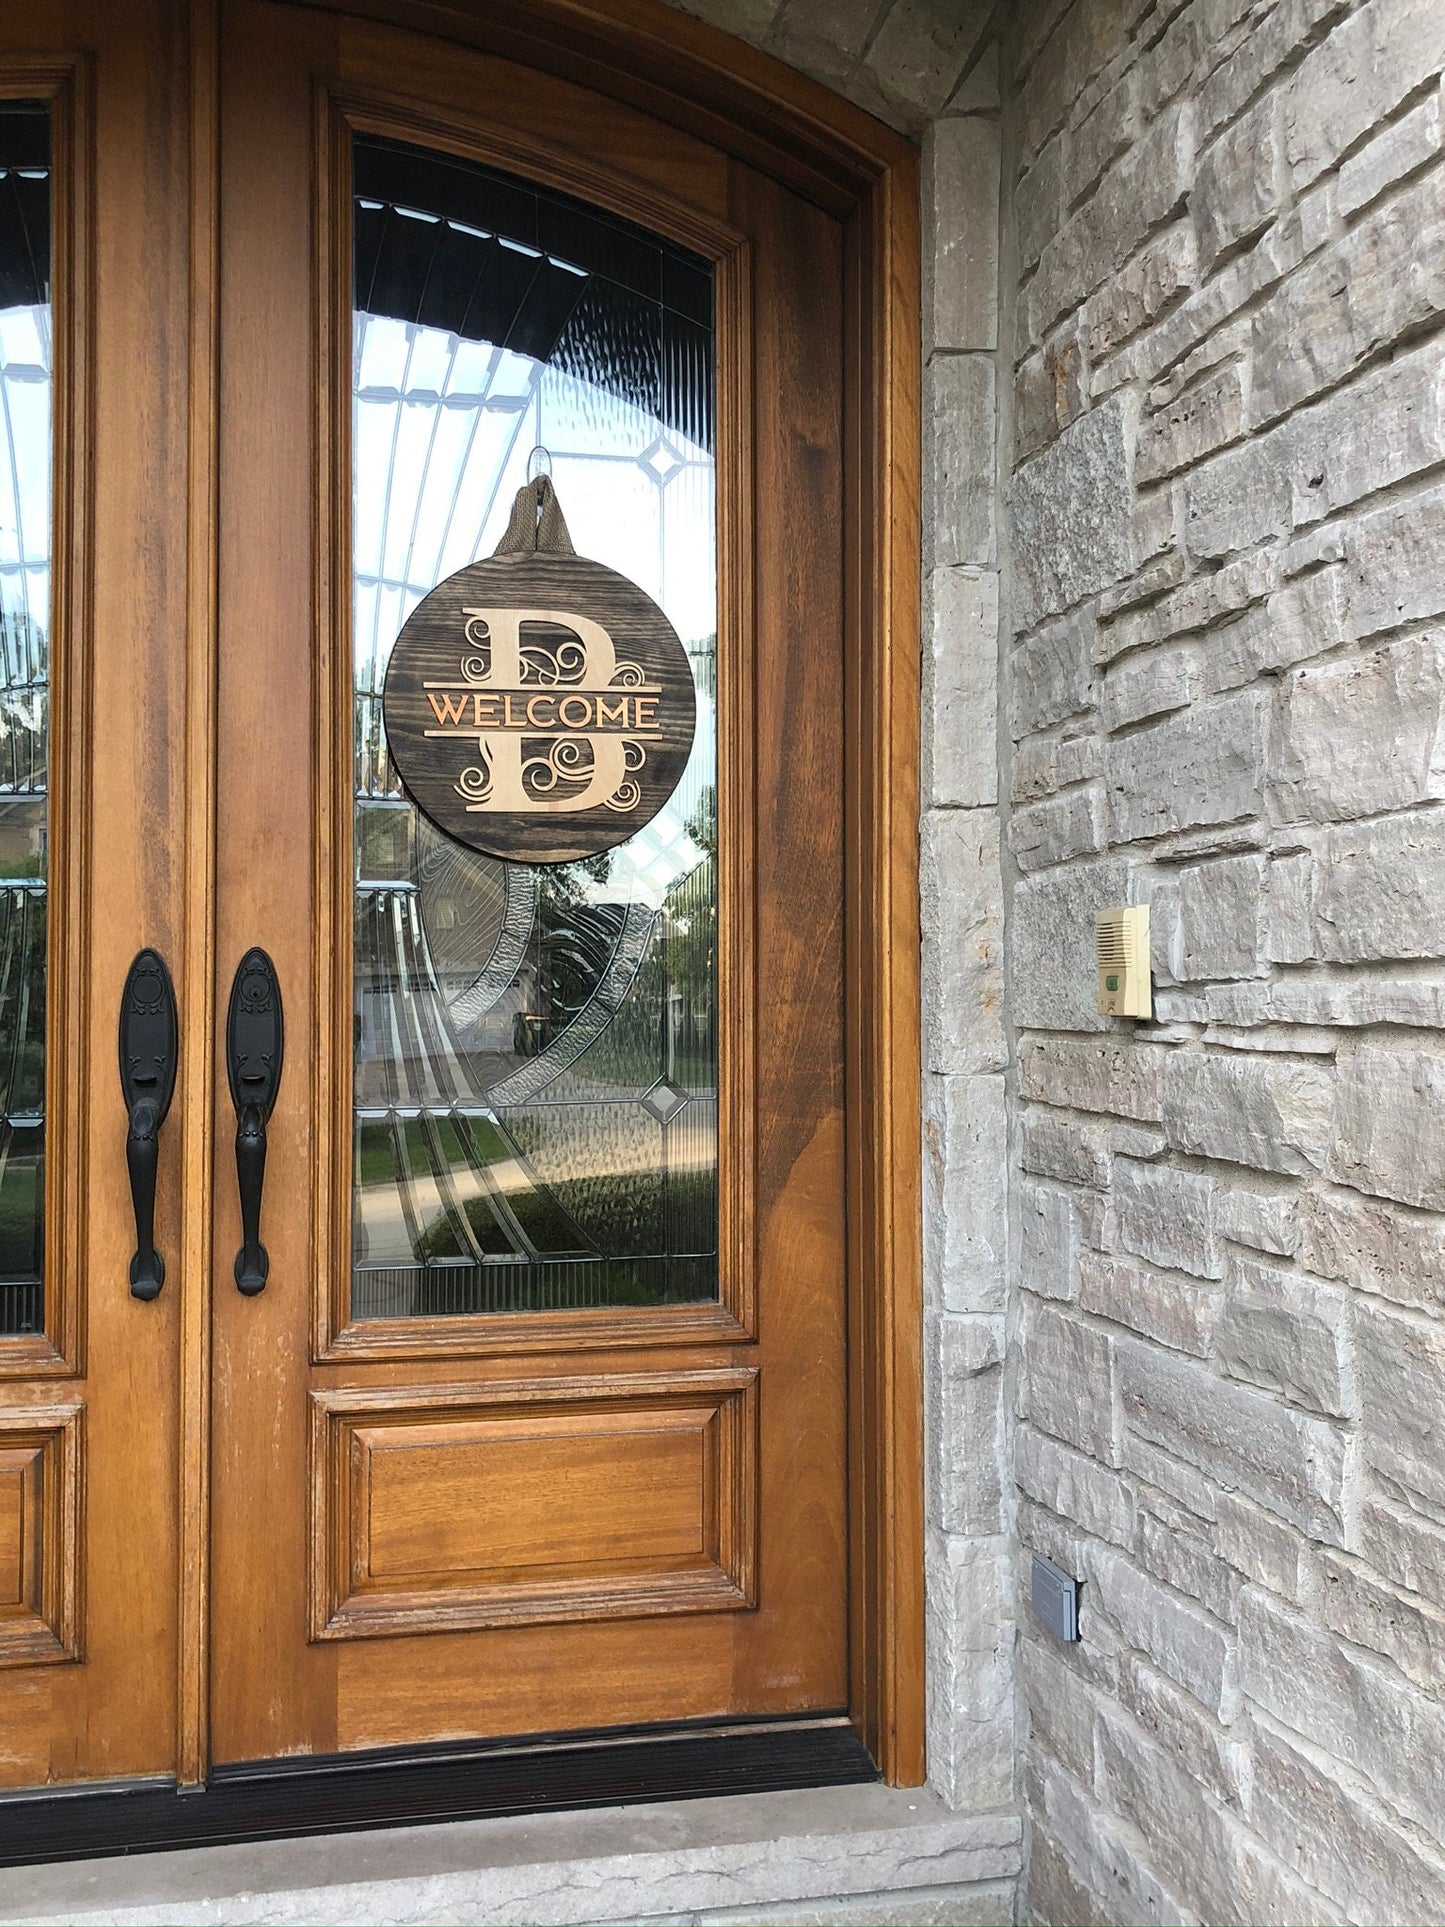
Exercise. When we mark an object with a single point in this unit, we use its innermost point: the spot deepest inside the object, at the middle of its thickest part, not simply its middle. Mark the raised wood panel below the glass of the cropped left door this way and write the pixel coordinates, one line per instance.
(39, 1535)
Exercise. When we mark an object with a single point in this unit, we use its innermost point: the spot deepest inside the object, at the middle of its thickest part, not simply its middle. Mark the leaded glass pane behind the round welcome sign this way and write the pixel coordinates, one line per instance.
(535, 1047)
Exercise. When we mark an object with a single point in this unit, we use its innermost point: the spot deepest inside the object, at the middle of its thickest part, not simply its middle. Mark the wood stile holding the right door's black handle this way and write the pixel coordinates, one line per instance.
(273, 1693)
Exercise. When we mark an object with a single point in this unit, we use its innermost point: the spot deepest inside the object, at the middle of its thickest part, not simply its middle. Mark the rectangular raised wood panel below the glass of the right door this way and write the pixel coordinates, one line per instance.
(533, 1502)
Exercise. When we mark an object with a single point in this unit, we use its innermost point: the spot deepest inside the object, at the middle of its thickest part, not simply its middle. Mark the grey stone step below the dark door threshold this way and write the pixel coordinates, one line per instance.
(864, 1855)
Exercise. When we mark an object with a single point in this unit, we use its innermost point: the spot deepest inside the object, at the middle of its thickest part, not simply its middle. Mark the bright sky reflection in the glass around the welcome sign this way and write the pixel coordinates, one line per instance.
(442, 438)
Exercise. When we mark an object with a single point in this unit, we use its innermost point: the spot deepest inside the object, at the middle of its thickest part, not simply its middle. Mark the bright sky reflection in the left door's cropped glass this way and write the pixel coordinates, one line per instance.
(26, 467)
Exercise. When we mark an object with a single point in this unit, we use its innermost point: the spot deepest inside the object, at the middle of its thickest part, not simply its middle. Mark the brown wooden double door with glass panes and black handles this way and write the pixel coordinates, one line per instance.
(537, 1423)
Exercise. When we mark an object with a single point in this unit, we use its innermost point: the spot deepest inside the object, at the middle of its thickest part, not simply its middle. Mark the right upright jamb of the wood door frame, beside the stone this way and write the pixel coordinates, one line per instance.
(883, 953)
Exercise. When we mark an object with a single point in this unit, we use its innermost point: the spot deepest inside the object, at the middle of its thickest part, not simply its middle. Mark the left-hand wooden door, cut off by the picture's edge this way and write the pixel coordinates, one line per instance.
(93, 847)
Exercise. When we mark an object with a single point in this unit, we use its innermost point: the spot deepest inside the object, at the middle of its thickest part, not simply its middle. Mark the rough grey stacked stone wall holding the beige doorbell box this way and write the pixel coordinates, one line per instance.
(1224, 697)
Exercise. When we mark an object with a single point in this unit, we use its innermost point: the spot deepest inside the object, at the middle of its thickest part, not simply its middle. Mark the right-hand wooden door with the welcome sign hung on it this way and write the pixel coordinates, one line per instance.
(539, 1423)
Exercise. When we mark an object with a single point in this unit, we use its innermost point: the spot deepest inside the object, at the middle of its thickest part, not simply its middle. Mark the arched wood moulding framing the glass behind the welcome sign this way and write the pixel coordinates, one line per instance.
(344, 113)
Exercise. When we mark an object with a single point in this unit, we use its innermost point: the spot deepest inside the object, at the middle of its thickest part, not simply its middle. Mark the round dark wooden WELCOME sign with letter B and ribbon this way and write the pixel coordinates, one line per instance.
(539, 706)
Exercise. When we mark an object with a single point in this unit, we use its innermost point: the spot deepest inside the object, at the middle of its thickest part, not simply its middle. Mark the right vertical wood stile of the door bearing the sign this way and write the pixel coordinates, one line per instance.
(797, 571)
